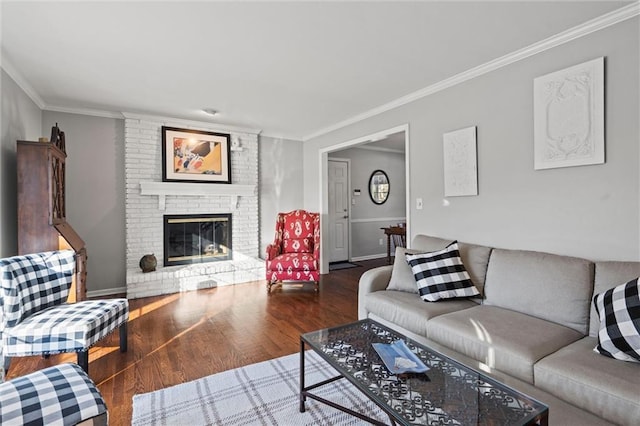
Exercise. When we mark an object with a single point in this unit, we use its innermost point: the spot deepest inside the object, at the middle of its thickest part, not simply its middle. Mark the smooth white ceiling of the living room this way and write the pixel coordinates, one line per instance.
(291, 69)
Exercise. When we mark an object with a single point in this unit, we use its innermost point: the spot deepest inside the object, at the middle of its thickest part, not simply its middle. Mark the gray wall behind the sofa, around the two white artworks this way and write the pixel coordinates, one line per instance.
(588, 211)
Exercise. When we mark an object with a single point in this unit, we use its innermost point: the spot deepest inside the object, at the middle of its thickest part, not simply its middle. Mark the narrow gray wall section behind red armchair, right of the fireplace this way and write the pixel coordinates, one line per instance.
(280, 176)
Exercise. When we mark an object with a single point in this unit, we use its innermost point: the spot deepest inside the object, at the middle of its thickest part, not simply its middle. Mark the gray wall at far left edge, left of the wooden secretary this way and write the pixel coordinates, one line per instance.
(21, 119)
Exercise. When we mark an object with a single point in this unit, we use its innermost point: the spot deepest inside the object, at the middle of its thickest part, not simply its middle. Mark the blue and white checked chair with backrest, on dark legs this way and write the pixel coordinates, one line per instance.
(35, 318)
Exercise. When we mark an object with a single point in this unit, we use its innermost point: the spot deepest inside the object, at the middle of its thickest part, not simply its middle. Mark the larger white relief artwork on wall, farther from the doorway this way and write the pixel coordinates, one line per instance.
(569, 116)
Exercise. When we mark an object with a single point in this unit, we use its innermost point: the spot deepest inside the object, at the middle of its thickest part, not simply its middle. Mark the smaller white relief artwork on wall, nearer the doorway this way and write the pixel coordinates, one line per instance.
(460, 163)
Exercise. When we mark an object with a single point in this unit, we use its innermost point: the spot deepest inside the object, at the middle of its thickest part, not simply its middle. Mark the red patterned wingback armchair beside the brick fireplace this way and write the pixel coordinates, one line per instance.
(294, 254)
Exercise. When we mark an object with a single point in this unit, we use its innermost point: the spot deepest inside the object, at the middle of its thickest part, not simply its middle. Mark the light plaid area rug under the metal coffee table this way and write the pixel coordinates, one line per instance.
(265, 393)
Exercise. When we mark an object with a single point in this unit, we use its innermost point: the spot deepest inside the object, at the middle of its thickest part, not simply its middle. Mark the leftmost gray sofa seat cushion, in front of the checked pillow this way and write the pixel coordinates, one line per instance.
(409, 311)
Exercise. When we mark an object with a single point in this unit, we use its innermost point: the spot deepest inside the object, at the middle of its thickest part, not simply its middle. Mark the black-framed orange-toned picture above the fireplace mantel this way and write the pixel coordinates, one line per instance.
(195, 156)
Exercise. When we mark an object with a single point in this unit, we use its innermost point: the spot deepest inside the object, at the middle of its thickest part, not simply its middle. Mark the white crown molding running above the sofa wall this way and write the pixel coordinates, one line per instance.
(586, 28)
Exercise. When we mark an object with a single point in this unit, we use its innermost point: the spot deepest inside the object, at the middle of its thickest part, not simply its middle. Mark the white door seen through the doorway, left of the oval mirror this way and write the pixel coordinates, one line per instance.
(338, 210)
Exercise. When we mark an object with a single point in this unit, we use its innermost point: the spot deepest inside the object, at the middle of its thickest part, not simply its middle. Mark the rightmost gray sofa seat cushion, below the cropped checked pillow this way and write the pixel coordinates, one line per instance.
(601, 385)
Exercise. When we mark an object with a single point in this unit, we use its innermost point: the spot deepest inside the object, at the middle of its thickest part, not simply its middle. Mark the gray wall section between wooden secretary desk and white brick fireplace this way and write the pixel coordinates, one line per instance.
(96, 193)
